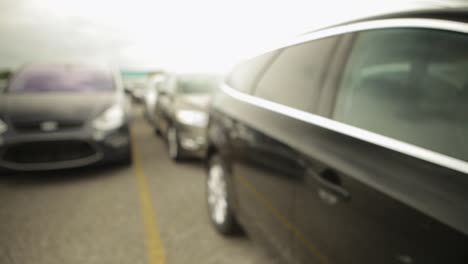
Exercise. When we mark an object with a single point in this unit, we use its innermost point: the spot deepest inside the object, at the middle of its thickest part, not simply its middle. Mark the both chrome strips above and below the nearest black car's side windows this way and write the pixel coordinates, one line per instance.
(374, 138)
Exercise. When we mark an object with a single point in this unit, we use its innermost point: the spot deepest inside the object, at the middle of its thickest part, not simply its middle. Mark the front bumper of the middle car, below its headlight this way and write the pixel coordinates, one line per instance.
(192, 140)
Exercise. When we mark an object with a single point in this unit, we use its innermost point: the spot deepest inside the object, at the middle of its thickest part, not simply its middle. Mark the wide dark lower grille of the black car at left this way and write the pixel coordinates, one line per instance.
(51, 151)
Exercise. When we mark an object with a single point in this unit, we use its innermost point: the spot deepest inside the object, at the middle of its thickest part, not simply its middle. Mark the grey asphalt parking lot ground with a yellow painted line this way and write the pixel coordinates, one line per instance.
(151, 212)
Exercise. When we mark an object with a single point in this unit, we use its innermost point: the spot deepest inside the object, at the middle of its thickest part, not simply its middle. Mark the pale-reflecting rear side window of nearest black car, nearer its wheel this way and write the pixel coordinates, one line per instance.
(294, 78)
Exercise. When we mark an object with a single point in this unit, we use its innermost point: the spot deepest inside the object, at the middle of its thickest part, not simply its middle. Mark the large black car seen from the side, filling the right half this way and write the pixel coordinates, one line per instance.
(349, 144)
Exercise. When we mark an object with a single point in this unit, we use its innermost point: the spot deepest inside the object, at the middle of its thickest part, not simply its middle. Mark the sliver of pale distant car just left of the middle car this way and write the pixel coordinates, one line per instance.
(151, 97)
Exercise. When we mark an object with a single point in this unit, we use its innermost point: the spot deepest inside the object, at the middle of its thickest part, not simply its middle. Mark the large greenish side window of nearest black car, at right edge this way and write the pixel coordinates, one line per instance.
(410, 85)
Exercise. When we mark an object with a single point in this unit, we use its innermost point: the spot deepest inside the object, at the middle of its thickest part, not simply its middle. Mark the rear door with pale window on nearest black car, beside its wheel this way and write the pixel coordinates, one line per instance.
(264, 139)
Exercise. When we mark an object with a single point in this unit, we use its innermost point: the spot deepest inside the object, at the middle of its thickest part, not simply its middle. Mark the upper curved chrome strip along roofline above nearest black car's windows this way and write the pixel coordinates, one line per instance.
(368, 25)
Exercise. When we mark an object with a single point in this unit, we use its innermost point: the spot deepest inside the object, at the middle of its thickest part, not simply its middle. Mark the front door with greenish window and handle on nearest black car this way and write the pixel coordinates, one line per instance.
(386, 179)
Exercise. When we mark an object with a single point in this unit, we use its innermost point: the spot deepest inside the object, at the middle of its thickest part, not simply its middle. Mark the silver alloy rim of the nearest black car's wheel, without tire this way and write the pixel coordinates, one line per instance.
(217, 195)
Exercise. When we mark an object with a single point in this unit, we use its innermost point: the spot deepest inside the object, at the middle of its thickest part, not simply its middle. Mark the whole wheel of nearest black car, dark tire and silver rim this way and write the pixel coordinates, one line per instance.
(218, 198)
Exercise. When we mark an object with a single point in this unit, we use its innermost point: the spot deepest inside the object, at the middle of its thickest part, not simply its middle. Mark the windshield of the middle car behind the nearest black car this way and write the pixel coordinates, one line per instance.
(192, 84)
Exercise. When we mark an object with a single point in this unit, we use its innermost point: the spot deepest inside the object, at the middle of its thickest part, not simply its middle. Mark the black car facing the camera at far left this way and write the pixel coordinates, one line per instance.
(63, 116)
